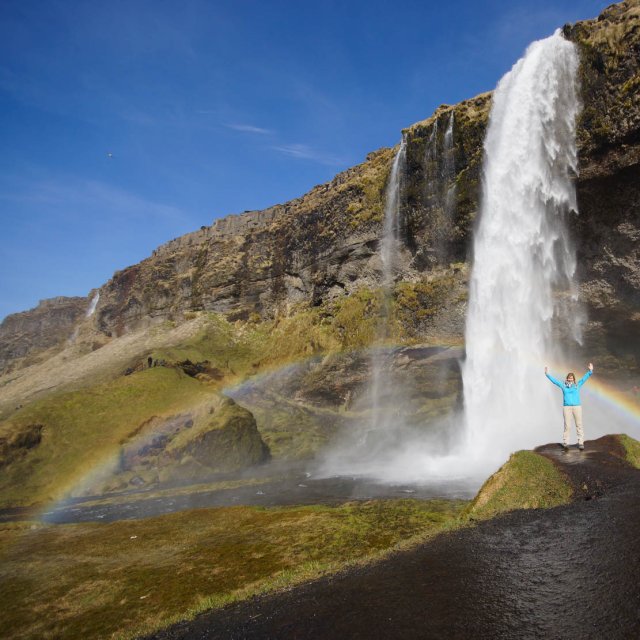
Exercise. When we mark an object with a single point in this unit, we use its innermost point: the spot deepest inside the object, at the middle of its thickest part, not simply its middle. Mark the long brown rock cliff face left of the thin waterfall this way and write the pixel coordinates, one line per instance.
(321, 245)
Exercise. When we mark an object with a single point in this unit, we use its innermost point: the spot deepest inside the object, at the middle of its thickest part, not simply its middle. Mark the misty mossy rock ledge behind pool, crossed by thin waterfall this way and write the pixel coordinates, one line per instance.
(299, 408)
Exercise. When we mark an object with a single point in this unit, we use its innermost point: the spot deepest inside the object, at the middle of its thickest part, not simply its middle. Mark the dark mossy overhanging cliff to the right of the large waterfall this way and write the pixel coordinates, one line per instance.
(607, 231)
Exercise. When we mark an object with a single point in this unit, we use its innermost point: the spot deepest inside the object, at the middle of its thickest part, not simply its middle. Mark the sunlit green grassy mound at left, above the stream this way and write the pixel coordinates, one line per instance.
(83, 428)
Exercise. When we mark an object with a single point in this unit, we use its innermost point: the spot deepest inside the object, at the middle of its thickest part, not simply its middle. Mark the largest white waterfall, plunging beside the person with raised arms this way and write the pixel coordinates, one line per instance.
(522, 254)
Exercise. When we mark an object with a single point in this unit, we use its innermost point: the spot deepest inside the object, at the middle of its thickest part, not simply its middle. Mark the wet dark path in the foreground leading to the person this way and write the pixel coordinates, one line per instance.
(572, 572)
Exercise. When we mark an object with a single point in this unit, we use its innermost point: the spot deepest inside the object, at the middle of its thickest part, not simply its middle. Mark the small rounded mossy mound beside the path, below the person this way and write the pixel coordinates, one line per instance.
(526, 481)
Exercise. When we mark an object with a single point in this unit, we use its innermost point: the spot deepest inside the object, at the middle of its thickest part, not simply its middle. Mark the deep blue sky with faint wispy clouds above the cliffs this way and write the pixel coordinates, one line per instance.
(124, 124)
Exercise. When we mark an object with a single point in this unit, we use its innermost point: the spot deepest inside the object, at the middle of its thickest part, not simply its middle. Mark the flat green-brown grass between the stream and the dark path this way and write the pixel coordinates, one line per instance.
(131, 577)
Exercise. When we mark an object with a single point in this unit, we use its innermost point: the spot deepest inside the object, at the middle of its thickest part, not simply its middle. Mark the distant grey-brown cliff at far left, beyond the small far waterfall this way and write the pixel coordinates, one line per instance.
(48, 325)
